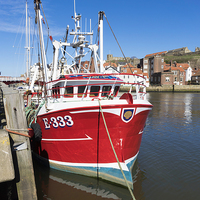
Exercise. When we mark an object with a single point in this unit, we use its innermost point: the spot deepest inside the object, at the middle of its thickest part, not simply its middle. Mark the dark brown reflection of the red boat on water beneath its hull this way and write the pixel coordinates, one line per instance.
(53, 184)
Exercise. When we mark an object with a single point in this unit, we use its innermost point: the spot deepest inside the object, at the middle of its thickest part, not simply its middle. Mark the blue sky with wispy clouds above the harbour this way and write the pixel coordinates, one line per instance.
(141, 27)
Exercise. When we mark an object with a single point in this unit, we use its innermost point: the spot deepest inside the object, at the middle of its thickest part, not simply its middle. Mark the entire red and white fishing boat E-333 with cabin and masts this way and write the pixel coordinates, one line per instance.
(82, 125)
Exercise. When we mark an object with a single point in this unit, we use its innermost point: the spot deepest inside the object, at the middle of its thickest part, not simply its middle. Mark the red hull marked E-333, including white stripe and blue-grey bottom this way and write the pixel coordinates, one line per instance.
(75, 140)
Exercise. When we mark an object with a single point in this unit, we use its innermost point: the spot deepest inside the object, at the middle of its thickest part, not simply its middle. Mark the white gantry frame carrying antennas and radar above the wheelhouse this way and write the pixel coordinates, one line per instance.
(79, 44)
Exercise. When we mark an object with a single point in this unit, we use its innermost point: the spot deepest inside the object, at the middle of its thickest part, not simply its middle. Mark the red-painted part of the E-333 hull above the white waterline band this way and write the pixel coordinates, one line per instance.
(83, 138)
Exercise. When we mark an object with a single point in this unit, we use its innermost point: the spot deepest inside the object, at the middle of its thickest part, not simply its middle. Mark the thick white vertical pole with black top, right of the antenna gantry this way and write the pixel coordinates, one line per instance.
(101, 13)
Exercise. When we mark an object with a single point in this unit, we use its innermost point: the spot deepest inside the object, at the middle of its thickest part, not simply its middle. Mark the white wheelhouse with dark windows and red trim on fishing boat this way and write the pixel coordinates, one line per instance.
(86, 86)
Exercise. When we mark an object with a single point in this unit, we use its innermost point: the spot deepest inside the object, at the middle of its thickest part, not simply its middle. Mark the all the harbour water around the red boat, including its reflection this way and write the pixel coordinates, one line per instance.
(167, 166)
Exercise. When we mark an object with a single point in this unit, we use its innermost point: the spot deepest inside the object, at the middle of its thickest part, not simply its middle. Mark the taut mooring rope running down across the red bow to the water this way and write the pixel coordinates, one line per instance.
(115, 152)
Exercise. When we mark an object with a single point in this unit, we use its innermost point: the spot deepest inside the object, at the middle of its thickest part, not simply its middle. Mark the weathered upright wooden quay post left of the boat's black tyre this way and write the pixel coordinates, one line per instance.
(16, 120)
